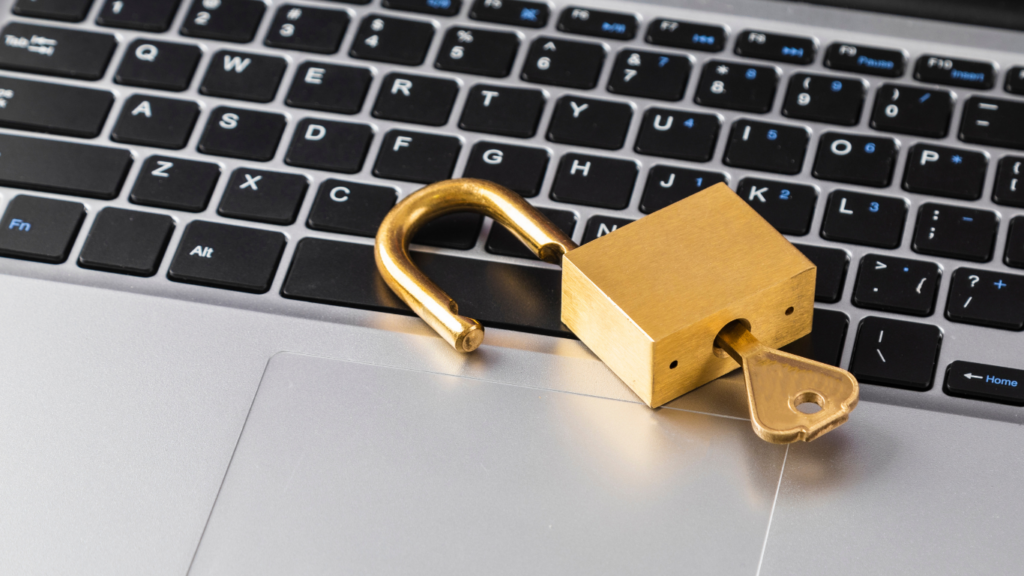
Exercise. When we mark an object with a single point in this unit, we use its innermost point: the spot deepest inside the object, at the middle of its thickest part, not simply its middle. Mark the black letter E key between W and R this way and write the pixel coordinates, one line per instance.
(329, 88)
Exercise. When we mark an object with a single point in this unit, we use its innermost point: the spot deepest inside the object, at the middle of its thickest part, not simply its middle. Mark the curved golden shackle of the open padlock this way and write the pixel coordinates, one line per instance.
(543, 238)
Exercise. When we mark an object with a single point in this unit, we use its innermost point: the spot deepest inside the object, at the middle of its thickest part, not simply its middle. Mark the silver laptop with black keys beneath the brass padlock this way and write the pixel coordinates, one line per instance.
(202, 373)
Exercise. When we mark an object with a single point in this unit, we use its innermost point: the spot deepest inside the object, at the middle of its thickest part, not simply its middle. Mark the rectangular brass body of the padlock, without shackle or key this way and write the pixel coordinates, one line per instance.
(651, 298)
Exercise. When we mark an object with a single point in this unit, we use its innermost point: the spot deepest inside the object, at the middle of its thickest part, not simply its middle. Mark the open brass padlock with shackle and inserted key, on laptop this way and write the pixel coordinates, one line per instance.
(669, 303)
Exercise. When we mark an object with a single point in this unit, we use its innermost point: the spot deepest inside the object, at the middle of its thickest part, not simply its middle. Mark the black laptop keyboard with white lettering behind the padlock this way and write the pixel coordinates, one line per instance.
(257, 147)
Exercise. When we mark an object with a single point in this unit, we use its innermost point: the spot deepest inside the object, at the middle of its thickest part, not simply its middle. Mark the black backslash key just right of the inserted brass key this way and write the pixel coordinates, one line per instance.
(897, 354)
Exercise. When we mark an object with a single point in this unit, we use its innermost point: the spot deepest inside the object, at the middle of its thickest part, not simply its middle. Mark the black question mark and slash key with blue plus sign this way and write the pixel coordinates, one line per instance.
(988, 299)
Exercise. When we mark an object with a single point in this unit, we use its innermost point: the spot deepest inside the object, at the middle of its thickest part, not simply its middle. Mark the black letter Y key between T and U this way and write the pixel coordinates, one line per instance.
(590, 122)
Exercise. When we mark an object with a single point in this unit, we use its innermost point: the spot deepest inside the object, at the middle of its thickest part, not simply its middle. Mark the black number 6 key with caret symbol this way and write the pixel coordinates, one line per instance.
(563, 63)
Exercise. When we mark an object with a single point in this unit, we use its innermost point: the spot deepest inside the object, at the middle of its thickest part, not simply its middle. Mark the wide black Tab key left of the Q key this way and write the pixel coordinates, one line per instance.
(57, 52)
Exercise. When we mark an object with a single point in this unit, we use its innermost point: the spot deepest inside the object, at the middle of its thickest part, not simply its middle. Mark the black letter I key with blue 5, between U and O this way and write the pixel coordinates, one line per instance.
(773, 148)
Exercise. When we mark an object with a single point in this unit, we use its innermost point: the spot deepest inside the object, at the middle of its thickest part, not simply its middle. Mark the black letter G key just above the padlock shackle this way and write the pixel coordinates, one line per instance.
(516, 168)
